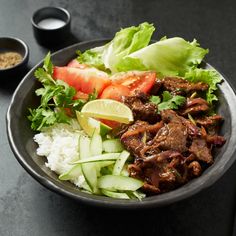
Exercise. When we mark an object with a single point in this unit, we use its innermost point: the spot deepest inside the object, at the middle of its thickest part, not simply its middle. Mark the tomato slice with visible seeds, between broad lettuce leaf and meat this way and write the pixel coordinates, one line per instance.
(135, 80)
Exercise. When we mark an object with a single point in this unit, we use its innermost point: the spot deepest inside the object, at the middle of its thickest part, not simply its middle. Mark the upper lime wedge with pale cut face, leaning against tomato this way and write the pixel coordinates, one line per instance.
(108, 109)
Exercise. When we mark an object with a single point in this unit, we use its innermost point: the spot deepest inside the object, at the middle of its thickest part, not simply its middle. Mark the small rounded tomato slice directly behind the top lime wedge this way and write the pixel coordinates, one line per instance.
(115, 92)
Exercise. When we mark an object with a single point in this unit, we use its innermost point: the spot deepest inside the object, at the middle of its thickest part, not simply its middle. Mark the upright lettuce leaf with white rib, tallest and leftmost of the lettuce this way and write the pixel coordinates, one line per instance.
(125, 42)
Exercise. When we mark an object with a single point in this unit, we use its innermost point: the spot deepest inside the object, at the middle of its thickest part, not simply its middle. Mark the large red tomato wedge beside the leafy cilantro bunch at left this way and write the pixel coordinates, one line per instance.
(84, 80)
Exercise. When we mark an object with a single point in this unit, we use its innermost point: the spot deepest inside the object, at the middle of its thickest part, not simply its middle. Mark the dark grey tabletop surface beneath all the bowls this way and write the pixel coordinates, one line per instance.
(27, 208)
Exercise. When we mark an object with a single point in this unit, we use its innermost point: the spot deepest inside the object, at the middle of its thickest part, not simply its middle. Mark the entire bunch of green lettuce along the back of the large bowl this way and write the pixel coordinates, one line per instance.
(130, 50)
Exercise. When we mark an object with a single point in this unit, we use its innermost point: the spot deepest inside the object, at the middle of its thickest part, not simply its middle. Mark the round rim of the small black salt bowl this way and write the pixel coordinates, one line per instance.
(66, 12)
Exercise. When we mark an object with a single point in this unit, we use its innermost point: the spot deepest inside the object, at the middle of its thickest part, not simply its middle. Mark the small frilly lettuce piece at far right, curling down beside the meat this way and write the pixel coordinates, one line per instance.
(211, 77)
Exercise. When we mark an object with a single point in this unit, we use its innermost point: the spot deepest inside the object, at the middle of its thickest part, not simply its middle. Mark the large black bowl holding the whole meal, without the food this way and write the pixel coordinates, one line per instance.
(21, 140)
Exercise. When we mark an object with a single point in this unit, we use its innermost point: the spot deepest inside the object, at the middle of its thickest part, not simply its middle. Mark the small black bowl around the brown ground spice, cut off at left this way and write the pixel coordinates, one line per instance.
(14, 45)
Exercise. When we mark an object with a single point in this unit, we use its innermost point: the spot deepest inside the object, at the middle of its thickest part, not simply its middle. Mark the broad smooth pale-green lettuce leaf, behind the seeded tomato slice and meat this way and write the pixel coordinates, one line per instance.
(174, 56)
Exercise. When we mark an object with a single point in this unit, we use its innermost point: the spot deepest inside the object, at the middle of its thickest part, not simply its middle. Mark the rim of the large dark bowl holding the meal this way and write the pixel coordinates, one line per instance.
(191, 188)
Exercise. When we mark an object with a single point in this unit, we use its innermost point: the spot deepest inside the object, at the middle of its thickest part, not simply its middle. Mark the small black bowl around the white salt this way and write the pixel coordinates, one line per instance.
(55, 36)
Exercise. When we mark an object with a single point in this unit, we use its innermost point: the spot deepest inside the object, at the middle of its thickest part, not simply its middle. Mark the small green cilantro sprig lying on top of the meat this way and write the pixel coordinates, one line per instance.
(168, 101)
